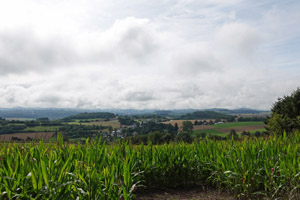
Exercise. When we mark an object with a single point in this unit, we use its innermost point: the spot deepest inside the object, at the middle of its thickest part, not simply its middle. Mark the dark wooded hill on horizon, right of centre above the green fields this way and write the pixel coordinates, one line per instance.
(205, 115)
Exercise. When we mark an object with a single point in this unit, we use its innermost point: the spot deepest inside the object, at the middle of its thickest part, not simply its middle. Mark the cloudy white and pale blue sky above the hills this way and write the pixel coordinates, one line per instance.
(141, 54)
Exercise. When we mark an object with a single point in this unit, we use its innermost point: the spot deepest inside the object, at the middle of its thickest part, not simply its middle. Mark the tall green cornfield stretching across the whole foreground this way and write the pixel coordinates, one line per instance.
(251, 169)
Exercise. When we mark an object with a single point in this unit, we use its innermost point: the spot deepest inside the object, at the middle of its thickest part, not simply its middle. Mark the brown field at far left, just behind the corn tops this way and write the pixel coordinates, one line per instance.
(23, 136)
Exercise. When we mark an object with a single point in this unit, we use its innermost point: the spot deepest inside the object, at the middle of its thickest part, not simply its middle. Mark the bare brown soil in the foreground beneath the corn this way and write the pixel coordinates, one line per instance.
(186, 194)
